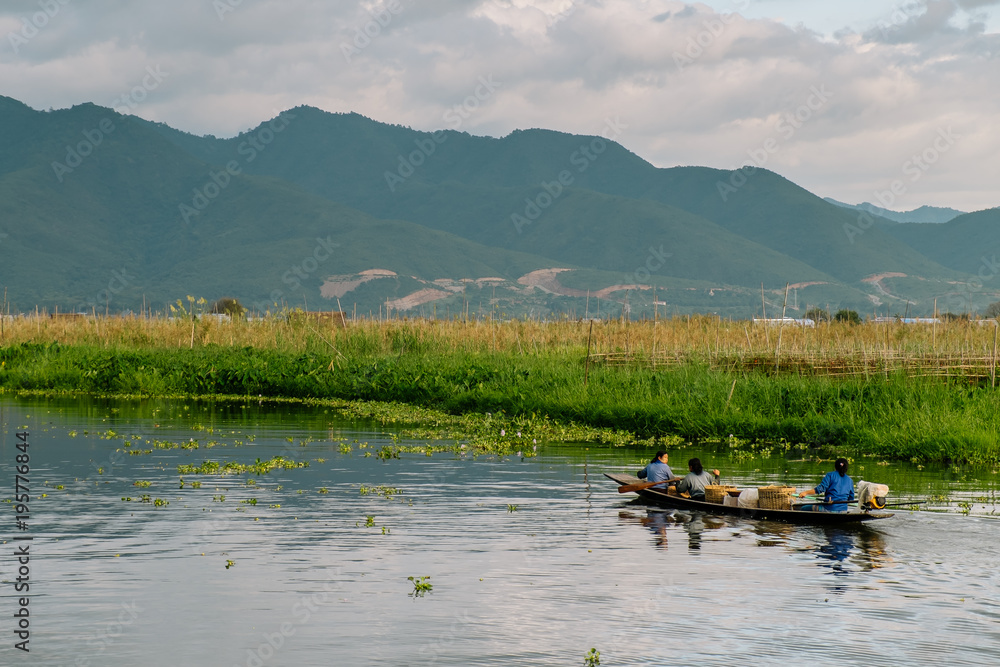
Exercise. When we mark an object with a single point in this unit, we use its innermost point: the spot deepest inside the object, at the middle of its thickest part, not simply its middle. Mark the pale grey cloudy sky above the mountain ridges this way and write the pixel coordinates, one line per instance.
(841, 97)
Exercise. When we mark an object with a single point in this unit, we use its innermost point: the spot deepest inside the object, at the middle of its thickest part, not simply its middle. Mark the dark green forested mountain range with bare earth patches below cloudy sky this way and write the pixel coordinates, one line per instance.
(105, 212)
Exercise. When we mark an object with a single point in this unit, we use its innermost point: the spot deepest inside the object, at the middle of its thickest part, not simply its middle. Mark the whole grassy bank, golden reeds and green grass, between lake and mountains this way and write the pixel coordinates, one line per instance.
(525, 369)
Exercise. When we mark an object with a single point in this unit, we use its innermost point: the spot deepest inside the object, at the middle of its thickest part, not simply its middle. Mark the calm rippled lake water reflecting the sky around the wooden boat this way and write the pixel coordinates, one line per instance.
(532, 562)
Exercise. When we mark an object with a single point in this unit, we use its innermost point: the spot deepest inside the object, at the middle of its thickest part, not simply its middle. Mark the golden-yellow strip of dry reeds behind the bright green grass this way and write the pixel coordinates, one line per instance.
(702, 337)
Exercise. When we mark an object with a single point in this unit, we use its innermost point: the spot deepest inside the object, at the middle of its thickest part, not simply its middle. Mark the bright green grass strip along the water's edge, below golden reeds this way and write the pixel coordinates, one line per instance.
(891, 417)
